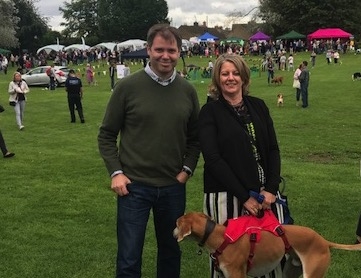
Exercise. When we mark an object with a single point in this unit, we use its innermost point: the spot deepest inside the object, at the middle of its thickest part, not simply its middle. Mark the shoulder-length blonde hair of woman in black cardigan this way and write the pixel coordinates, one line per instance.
(241, 66)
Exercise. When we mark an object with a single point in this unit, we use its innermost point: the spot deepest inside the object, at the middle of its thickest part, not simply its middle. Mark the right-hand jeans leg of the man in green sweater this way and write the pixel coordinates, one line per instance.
(169, 207)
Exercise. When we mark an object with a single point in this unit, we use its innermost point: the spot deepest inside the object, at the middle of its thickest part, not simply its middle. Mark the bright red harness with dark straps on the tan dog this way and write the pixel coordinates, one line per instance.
(253, 226)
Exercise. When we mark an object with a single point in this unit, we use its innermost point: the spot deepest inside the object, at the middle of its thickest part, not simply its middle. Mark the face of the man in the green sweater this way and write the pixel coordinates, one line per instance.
(163, 56)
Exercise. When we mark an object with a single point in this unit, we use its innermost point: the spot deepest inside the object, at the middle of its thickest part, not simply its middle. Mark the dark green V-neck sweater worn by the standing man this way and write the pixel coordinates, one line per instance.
(158, 128)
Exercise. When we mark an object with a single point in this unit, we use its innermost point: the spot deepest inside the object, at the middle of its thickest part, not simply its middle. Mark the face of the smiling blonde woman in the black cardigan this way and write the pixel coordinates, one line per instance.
(230, 79)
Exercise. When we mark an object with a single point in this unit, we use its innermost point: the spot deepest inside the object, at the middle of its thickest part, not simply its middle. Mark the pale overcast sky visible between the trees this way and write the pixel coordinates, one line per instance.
(180, 11)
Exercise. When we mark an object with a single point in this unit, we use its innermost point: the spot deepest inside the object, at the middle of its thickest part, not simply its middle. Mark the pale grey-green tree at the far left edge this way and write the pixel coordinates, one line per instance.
(8, 26)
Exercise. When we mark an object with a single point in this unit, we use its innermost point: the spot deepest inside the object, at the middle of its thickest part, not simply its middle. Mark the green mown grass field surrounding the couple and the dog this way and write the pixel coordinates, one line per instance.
(57, 213)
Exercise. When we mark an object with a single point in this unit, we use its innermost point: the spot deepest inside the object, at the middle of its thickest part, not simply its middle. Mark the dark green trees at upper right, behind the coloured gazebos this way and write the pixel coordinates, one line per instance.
(306, 16)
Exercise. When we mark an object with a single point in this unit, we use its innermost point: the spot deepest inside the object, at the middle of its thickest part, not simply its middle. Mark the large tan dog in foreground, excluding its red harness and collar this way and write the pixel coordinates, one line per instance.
(312, 249)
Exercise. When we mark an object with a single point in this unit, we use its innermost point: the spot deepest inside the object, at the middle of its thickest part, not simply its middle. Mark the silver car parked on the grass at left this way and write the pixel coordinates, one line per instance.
(37, 76)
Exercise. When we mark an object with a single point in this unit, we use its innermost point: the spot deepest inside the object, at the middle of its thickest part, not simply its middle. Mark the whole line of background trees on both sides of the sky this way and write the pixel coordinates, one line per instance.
(118, 20)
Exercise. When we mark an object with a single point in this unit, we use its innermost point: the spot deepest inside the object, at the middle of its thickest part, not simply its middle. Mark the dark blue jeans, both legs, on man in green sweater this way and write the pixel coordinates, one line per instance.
(167, 203)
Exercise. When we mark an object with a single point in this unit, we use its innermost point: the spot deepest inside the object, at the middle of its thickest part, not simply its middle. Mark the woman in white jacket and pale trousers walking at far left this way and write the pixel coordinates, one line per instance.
(18, 90)
